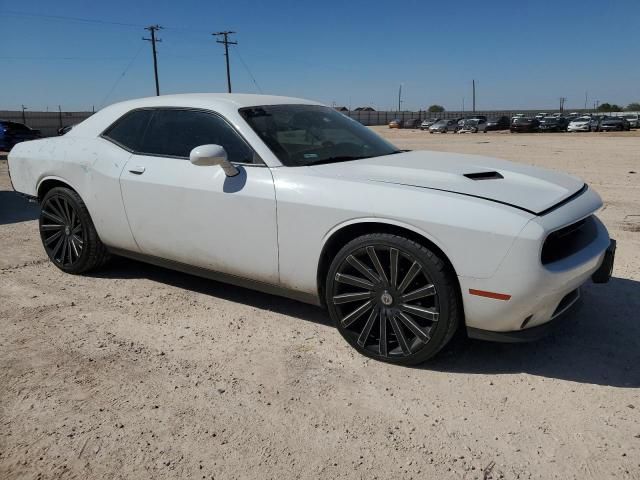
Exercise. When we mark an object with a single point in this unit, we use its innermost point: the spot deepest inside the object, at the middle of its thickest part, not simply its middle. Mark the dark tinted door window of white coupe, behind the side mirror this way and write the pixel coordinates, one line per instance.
(175, 132)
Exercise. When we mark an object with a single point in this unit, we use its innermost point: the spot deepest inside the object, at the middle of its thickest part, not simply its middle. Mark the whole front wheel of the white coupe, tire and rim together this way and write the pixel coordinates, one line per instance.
(399, 304)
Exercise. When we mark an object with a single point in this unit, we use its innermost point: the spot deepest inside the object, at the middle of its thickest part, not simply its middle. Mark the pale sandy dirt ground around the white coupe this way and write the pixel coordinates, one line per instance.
(140, 372)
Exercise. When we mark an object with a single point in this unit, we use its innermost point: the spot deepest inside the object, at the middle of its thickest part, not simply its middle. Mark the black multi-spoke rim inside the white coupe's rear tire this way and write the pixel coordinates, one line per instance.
(63, 234)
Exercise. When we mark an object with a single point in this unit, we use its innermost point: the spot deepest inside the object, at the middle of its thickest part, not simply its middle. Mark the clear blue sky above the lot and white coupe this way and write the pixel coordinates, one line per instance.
(522, 54)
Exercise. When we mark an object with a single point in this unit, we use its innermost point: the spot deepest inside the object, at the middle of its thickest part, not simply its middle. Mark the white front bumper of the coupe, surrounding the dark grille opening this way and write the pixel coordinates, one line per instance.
(534, 290)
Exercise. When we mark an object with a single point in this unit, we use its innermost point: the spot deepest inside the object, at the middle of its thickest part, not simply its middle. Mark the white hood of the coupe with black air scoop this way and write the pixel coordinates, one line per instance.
(521, 186)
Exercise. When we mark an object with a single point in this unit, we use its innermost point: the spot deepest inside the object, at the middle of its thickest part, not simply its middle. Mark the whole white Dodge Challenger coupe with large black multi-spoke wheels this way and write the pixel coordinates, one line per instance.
(291, 197)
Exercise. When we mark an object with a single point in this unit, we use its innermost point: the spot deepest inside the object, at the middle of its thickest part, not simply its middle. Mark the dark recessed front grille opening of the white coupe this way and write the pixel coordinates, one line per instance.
(568, 240)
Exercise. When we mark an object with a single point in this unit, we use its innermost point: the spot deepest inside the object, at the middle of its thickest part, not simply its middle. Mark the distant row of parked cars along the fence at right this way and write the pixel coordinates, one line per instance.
(541, 122)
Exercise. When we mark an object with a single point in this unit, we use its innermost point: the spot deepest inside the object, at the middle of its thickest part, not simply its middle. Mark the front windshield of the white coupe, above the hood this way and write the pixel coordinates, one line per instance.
(302, 135)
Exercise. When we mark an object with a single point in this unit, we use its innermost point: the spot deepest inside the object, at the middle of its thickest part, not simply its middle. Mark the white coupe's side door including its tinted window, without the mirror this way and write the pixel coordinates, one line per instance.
(196, 215)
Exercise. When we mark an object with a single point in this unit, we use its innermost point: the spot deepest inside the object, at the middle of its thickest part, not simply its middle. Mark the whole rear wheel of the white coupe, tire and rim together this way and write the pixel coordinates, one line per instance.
(68, 234)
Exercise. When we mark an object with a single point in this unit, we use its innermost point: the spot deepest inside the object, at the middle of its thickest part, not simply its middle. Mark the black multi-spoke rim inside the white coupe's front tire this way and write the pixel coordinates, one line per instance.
(385, 301)
